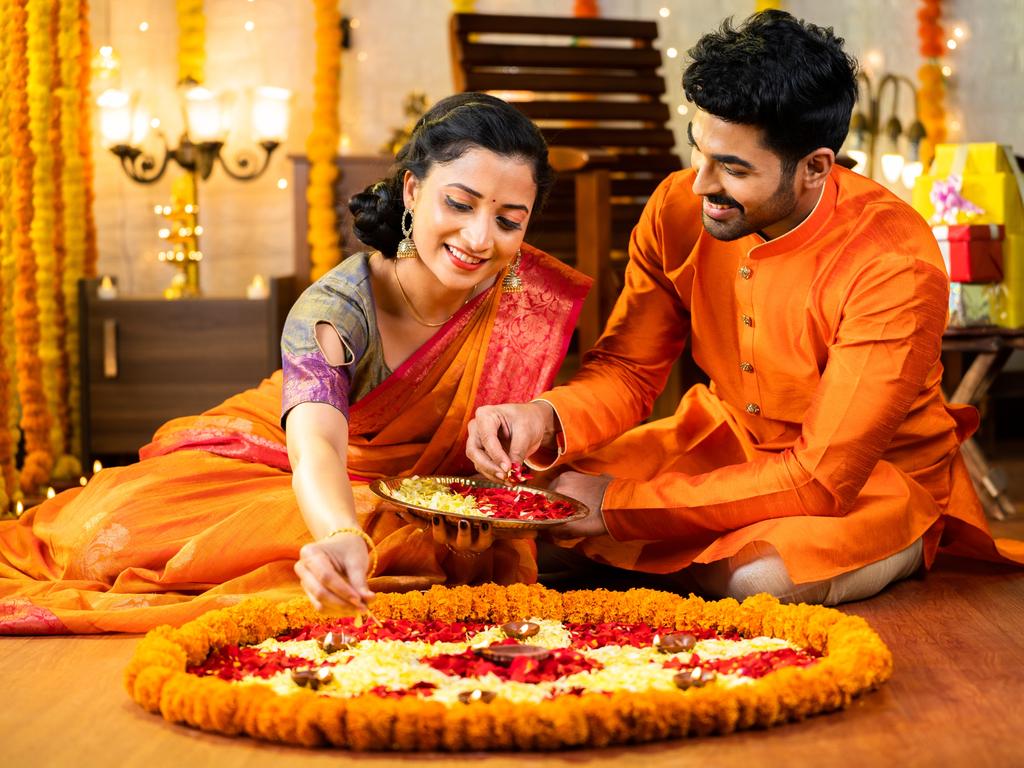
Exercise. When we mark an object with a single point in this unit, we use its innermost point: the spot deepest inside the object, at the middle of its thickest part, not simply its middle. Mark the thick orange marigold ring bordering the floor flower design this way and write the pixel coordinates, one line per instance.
(856, 661)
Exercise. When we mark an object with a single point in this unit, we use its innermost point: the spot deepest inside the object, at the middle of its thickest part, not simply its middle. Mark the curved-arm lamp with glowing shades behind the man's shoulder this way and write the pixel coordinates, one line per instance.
(868, 138)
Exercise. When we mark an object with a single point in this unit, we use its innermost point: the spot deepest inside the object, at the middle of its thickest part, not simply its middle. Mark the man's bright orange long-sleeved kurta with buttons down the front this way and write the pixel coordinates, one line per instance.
(825, 432)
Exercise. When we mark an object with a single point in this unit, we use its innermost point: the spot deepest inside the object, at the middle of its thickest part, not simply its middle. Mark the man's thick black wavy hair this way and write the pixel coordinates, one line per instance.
(781, 74)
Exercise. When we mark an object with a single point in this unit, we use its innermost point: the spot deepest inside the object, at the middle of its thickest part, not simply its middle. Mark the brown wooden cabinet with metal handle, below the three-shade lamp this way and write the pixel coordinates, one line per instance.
(145, 361)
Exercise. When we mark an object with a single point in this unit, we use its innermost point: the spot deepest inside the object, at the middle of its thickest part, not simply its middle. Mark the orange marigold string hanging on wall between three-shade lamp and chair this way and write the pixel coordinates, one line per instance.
(322, 146)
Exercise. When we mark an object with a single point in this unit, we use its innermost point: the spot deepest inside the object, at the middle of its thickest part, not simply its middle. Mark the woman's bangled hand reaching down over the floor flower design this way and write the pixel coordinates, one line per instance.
(333, 572)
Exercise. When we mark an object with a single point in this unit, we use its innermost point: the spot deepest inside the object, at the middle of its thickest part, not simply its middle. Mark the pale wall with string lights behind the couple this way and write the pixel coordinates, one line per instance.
(401, 47)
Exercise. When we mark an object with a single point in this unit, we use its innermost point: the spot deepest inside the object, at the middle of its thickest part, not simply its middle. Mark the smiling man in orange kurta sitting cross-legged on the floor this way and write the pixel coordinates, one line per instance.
(822, 464)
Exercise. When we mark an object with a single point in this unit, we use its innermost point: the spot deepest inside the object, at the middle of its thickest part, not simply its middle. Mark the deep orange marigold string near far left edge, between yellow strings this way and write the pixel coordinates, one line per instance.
(35, 417)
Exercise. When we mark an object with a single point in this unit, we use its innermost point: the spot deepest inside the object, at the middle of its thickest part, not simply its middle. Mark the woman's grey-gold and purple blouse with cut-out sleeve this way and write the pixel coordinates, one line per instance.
(345, 300)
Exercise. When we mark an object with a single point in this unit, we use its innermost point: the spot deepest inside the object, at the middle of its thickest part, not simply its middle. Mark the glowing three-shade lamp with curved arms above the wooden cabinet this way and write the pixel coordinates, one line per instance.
(125, 126)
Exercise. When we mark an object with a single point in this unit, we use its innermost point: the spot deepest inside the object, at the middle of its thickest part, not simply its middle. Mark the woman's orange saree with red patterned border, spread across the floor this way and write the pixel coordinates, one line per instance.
(208, 516)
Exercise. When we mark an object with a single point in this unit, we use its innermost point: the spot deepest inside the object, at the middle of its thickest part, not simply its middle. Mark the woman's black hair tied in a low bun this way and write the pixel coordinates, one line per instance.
(450, 130)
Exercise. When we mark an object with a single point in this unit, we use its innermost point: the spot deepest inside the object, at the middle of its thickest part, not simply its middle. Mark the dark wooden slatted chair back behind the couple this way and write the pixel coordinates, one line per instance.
(588, 83)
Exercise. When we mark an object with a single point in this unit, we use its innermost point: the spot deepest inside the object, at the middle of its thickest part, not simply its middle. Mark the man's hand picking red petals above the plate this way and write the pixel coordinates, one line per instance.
(503, 436)
